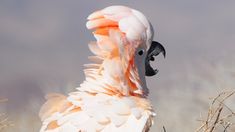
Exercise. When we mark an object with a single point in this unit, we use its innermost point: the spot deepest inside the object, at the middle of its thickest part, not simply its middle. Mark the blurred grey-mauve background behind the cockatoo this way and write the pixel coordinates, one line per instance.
(43, 46)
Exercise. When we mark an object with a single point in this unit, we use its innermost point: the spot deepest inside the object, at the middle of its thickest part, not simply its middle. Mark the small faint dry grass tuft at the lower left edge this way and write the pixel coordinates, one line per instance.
(4, 121)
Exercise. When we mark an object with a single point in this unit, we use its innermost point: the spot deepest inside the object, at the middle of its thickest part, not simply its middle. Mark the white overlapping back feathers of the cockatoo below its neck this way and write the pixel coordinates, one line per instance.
(99, 112)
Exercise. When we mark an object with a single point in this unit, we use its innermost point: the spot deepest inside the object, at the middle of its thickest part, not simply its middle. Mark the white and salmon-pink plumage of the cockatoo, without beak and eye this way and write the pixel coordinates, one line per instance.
(113, 96)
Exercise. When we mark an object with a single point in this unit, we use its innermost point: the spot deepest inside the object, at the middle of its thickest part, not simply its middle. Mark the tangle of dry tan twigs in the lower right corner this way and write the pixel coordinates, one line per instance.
(220, 117)
